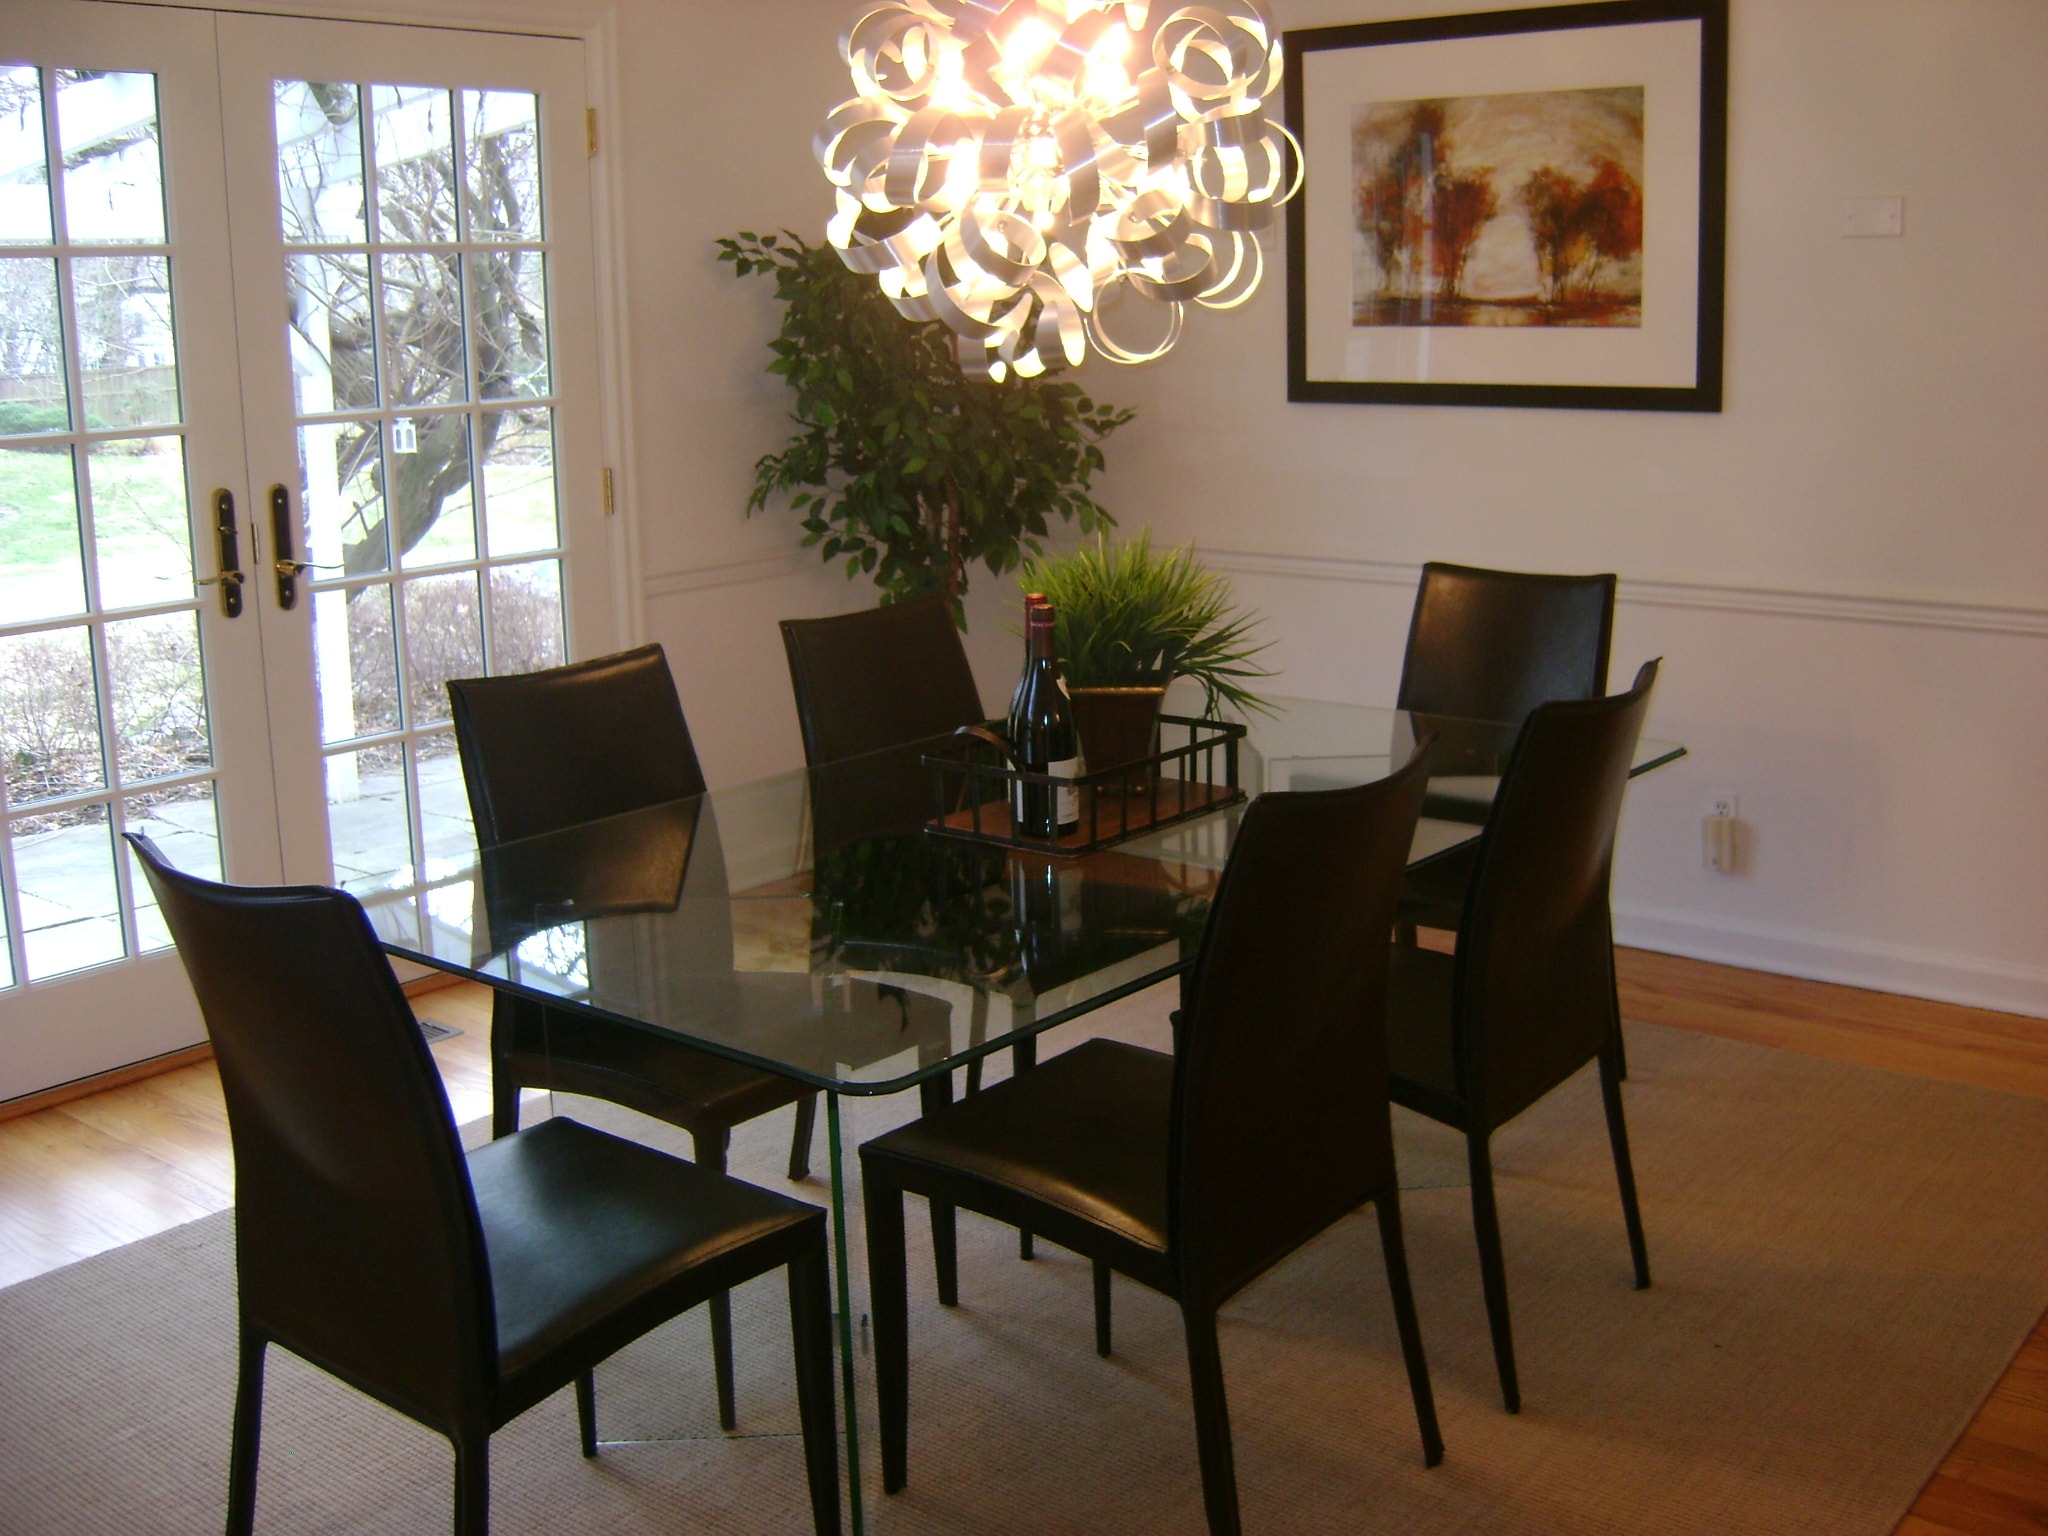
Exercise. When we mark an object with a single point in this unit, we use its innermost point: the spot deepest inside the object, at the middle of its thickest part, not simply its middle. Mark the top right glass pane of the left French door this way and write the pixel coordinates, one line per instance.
(114, 175)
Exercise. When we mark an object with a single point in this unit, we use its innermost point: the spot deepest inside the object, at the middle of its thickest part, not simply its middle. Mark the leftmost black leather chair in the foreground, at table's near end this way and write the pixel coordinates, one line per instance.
(454, 1289)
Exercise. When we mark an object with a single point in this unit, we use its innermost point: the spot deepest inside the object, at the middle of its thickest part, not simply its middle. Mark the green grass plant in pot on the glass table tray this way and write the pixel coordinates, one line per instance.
(1132, 622)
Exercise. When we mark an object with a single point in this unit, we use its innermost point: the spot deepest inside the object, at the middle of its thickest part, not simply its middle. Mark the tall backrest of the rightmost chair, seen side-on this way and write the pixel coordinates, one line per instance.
(1535, 974)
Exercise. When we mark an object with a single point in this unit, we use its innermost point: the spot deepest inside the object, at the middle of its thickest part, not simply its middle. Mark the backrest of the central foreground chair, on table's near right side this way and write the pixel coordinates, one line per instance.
(1281, 1099)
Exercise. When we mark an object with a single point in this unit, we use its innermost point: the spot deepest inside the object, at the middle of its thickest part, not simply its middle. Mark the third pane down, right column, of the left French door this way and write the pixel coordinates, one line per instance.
(142, 529)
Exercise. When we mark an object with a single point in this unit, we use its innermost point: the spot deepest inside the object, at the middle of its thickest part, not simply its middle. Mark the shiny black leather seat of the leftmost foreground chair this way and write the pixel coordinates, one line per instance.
(583, 1226)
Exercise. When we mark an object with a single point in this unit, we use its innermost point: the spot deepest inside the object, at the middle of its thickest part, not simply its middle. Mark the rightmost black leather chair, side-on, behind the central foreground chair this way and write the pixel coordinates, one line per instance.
(1529, 998)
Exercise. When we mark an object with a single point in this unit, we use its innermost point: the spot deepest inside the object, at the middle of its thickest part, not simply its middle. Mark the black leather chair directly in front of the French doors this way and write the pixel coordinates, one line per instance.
(548, 751)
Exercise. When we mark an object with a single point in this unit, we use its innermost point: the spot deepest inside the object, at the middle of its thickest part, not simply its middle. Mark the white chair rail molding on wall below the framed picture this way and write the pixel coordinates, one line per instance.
(1777, 603)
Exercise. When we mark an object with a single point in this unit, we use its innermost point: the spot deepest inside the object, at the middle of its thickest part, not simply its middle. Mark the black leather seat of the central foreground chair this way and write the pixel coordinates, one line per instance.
(1084, 1134)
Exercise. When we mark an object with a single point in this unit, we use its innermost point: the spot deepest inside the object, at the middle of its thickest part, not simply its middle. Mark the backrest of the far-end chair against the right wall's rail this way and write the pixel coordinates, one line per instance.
(1490, 646)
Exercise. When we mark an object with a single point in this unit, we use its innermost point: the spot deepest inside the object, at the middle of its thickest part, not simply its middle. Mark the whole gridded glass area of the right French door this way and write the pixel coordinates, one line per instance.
(411, 341)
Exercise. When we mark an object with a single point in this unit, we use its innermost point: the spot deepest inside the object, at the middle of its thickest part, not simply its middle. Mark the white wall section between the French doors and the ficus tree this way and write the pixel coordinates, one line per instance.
(720, 103)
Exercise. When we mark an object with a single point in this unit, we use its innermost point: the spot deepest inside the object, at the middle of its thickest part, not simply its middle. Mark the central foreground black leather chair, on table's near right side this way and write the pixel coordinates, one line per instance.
(1197, 1172)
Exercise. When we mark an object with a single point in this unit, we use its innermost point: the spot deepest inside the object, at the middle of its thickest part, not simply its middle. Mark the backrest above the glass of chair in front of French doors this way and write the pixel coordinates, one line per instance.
(546, 751)
